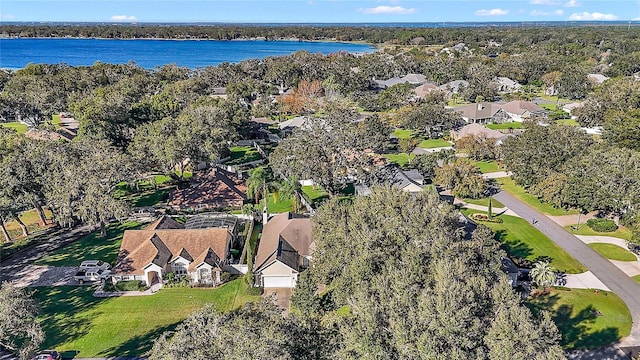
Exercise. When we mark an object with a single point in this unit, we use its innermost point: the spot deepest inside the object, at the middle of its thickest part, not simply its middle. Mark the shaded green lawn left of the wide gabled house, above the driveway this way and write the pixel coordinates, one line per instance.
(90, 247)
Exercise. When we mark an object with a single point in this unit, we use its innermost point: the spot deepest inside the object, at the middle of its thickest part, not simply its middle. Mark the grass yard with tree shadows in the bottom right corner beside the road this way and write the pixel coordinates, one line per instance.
(586, 320)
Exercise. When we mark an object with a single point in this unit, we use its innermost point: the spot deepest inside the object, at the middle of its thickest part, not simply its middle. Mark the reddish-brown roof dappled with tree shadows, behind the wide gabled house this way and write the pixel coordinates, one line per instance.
(213, 189)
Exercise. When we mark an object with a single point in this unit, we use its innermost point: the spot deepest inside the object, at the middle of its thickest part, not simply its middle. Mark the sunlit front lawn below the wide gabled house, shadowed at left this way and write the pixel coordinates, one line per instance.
(123, 326)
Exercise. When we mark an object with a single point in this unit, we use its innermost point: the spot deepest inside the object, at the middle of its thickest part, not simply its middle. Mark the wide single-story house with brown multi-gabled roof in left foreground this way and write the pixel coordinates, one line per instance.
(166, 246)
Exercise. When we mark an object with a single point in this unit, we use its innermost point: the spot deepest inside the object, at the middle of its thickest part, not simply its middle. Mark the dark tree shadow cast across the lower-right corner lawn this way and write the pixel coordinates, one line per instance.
(576, 329)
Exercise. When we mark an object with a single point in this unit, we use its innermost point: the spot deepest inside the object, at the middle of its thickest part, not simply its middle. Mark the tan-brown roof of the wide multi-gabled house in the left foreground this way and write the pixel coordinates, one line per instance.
(140, 248)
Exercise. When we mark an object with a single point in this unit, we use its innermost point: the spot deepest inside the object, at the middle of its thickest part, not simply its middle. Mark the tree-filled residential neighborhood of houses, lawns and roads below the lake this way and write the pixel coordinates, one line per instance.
(420, 201)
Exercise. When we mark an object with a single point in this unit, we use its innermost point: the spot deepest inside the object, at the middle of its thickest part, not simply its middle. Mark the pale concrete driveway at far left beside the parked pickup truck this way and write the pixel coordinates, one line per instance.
(36, 275)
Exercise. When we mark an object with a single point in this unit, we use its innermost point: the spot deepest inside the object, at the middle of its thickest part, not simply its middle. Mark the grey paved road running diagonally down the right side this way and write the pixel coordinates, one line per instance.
(616, 280)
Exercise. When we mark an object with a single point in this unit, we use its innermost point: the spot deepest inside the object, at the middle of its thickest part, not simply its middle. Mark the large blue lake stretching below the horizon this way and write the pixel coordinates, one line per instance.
(16, 53)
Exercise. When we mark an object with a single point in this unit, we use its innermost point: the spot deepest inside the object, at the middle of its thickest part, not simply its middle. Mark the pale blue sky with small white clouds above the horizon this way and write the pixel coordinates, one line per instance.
(316, 11)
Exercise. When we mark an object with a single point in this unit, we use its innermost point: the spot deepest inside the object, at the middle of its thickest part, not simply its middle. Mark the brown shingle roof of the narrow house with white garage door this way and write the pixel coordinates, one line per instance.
(284, 232)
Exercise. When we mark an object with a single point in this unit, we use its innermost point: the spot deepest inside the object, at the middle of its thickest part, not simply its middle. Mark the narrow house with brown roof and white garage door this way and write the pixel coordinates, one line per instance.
(283, 251)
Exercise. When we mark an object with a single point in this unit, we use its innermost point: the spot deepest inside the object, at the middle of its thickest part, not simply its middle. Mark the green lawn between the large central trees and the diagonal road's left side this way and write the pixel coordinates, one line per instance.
(522, 240)
